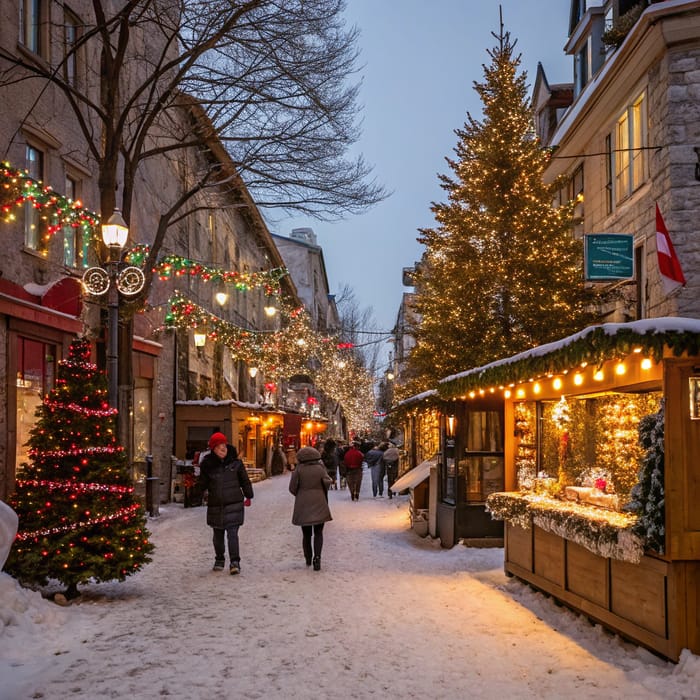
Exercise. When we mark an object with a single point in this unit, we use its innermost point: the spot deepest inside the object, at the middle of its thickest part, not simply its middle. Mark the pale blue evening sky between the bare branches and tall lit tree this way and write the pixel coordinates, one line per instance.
(419, 62)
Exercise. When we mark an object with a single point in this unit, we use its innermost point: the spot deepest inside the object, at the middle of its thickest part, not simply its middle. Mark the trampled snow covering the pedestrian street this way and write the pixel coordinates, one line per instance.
(389, 614)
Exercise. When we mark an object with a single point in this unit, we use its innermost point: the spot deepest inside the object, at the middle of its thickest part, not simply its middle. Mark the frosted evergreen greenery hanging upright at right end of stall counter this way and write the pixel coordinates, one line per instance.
(647, 496)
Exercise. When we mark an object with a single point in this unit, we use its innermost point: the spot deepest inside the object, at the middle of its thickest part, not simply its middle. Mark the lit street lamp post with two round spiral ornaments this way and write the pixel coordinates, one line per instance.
(117, 278)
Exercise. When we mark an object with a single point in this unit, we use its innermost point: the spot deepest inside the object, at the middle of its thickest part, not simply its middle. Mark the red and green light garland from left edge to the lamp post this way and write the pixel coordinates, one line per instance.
(18, 187)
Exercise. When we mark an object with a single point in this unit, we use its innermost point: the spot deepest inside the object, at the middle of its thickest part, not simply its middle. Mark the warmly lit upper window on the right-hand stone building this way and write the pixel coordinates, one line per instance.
(625, 148)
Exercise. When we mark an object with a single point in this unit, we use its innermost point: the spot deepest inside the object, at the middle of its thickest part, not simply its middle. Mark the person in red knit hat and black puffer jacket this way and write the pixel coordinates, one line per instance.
(225, 477)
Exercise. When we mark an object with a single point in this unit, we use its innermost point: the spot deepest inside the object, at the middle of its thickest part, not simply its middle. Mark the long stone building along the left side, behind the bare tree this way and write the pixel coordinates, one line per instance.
(42, 303)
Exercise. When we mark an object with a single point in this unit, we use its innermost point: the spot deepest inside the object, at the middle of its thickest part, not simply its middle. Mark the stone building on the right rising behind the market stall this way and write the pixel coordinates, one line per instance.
(629, 140)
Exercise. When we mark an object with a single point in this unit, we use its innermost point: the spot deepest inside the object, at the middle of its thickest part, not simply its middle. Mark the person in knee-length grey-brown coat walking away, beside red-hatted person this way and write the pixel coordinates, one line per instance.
(309, 485)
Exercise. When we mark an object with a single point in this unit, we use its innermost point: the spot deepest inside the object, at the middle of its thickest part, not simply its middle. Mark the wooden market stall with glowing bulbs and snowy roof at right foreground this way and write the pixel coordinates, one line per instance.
(602, 475)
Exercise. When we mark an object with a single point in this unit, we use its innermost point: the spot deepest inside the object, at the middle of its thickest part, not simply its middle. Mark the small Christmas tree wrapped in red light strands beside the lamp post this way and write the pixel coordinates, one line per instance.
(79, 519)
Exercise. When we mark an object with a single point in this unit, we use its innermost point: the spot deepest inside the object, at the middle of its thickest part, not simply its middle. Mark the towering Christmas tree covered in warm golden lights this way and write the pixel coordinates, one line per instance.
(501, 272)
